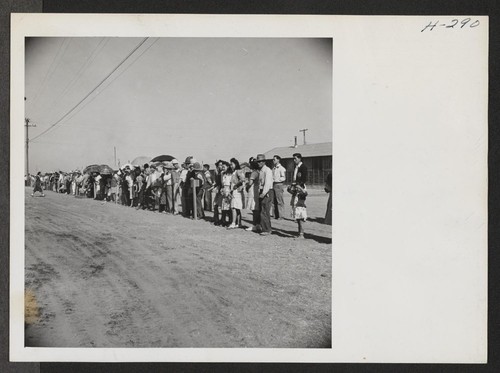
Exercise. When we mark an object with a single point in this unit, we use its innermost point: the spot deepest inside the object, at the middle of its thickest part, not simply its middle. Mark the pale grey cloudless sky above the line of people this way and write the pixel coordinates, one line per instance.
(213, 98)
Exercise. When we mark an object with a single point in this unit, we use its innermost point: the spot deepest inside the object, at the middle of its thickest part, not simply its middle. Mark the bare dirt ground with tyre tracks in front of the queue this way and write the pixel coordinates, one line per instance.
(104, 275)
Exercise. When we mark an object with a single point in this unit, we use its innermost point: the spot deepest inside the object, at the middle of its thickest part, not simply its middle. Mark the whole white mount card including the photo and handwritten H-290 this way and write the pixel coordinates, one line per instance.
(238, 188)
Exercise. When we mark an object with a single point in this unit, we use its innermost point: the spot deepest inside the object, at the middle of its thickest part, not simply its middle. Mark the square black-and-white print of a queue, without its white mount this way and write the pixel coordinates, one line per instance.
(178, 192)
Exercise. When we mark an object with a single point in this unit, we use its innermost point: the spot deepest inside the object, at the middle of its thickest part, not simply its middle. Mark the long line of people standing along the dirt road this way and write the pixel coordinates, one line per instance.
(187, 189)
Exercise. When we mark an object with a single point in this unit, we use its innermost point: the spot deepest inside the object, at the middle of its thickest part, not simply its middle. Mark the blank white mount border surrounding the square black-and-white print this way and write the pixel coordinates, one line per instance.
(410, 185)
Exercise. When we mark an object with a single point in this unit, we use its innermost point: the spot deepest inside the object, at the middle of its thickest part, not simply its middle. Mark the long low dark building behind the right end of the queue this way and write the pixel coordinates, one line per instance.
(317, 158)
